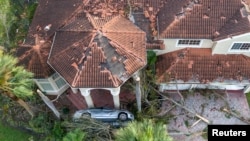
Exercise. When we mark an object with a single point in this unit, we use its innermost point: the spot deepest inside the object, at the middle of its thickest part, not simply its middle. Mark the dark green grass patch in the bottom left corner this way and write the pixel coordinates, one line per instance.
(12, 134)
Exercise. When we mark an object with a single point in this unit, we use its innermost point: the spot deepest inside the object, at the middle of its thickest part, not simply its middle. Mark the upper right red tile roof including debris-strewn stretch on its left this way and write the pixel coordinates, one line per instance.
(195, 19)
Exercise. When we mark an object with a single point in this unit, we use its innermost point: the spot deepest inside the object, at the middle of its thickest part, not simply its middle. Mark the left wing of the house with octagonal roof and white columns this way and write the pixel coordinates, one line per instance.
(83, 45)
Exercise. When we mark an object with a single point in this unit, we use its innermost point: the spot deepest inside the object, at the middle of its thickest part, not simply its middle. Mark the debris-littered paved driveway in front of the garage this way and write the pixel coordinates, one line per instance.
(185, 126)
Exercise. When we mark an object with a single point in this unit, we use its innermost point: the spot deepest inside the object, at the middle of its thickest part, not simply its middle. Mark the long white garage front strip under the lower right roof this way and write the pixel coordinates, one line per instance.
(227, 85)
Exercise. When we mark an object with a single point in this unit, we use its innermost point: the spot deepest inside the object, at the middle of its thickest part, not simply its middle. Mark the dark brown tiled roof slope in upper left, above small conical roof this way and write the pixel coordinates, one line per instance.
(46, 13)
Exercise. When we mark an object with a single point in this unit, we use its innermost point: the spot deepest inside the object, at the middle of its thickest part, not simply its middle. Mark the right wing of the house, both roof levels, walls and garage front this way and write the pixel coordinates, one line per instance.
(207, 42)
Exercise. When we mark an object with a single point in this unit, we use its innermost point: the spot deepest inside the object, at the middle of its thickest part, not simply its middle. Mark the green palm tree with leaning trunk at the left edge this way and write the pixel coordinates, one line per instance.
(15, 82)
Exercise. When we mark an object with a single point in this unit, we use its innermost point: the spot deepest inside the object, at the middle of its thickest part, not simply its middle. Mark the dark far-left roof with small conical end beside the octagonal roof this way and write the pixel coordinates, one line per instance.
(33, 56)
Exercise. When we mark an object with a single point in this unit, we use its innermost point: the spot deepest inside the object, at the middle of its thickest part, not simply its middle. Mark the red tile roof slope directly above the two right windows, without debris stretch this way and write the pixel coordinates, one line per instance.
(207, 19)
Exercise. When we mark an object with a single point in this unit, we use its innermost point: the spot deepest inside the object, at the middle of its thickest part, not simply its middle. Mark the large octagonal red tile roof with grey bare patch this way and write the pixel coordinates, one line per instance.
(98, 52)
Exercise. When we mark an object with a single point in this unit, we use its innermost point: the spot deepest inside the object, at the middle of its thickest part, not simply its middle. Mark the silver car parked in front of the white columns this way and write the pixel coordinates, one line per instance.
(104, 114)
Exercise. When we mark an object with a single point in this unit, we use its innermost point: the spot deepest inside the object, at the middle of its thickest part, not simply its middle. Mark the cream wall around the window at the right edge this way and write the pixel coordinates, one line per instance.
(224, 46)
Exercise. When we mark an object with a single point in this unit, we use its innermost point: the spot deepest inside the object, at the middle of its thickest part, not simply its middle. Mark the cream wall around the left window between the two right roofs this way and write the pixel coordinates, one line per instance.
(171, 45)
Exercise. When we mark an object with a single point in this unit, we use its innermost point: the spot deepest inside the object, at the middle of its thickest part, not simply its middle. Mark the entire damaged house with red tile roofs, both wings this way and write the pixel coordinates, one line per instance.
(85, 45)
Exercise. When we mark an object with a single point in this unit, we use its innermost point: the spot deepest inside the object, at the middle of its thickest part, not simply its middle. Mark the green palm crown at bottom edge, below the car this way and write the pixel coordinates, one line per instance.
(146, 130)
